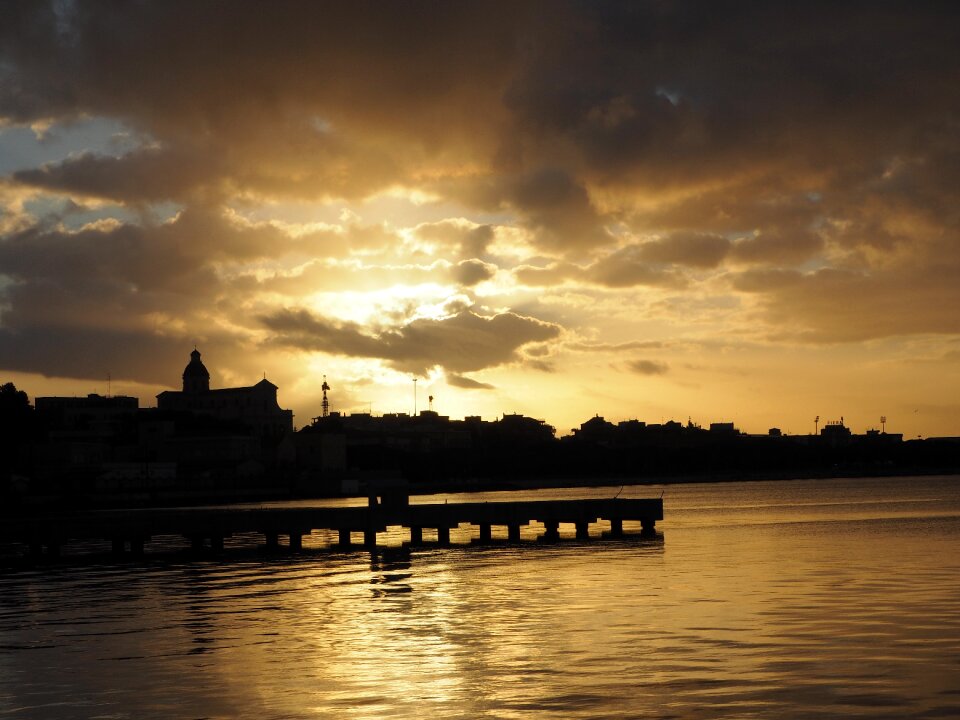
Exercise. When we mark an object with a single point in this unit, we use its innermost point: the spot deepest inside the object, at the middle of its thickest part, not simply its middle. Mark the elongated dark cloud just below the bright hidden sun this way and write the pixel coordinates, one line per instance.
(461, 343)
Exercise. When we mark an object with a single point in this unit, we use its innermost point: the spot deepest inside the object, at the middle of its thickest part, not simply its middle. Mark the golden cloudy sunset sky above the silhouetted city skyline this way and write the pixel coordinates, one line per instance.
(711, 211)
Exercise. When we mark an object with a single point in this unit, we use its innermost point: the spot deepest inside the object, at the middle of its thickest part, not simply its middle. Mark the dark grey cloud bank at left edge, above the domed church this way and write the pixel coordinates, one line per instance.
(111, 295)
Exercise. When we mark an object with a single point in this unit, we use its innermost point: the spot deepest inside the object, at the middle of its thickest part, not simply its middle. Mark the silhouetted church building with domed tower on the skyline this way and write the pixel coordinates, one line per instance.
(254, 406)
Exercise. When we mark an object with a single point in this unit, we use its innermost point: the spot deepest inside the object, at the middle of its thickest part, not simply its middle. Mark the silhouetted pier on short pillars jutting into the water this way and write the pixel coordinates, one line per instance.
(129, 531)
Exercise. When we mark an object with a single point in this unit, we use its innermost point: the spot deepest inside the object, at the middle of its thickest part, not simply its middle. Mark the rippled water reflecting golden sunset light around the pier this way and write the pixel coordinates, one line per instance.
(793, 599)
